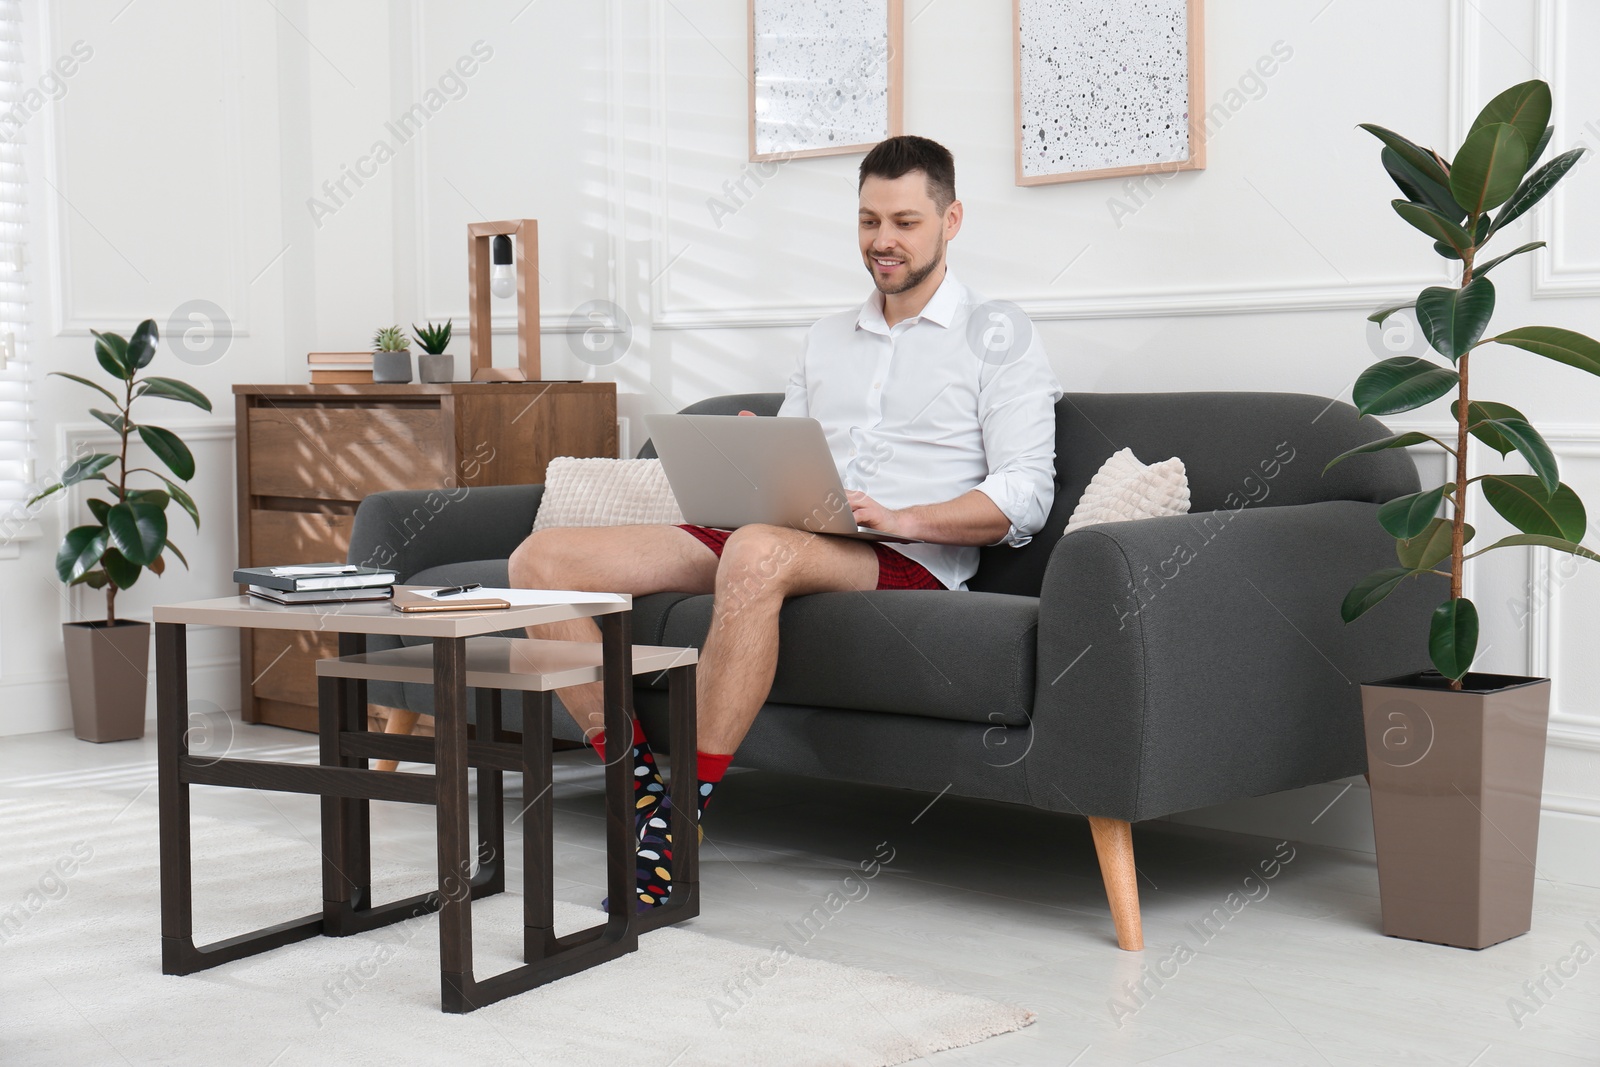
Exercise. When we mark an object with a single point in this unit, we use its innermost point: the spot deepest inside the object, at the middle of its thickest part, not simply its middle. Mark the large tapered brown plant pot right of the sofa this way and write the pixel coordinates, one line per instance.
(1457, 783)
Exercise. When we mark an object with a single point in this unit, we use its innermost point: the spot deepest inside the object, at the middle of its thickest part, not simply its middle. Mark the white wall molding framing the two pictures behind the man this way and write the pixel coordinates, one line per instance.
(1463, 62)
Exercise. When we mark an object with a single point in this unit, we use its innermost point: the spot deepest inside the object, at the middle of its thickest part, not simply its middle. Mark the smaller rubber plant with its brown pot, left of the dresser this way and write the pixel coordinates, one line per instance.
(106, 660)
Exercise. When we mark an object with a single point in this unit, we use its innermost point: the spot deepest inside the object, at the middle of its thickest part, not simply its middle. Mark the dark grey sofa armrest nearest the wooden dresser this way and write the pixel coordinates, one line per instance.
(412, 530)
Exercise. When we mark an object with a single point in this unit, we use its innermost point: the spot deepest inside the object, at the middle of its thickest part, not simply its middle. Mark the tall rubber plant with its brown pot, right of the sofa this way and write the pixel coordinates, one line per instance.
(1457, 759)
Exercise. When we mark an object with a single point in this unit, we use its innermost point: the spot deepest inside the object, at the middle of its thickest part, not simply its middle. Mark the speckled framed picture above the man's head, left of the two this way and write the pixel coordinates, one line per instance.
(791, 87)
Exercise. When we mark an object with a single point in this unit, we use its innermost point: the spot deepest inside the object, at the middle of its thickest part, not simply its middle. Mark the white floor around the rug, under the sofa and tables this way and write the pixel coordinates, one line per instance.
(1007, 903)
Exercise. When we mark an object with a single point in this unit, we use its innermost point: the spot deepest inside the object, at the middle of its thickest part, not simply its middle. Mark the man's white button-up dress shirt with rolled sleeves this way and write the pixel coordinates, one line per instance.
(922, 412)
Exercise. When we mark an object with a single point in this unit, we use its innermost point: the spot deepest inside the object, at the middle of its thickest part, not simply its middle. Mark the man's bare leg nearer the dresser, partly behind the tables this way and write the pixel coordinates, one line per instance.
(634, 561)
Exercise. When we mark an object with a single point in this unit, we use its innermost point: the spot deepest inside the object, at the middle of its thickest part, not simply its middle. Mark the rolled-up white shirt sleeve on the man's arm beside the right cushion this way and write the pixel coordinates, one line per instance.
(1017, 409)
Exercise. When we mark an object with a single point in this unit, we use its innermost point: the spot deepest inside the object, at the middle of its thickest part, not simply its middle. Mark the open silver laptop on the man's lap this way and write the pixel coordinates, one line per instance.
(732, 471)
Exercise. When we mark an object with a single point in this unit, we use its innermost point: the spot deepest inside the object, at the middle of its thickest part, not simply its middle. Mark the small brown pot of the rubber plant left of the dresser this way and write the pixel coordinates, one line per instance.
(106, 677)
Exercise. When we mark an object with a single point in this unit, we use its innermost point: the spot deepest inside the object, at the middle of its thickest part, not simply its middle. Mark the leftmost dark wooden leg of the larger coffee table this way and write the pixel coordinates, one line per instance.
(172, 722)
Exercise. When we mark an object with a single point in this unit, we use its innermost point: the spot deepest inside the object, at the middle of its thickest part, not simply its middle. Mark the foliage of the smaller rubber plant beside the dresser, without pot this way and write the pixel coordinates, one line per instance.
(129, 533)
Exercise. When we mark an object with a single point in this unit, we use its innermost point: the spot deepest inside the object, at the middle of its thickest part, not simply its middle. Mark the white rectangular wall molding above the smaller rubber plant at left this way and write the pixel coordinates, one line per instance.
(66, 322)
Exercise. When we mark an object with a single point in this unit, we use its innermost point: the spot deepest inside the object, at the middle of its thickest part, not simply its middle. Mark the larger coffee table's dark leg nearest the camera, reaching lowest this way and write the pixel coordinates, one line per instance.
(455, 825)
